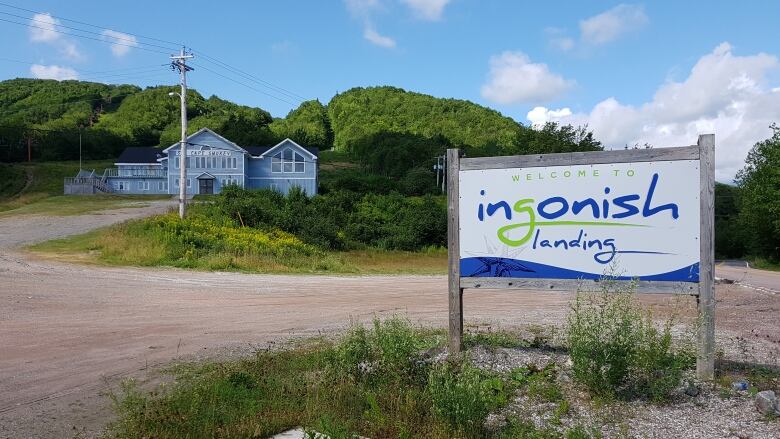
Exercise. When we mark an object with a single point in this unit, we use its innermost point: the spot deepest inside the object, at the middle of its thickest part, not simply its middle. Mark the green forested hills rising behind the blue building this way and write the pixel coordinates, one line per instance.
(113, 117)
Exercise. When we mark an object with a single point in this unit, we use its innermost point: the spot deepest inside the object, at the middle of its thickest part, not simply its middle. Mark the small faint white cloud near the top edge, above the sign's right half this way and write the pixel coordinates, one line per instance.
(609, 25)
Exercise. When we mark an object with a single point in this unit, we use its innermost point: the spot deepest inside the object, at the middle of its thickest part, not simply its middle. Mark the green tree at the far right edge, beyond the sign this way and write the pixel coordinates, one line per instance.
(759, 202)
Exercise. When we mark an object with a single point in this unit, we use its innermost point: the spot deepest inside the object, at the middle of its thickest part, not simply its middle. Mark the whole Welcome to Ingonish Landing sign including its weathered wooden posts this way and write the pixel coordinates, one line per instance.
(553, 222)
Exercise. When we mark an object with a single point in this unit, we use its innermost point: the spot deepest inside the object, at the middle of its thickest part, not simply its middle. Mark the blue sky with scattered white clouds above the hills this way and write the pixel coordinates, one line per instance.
(656, 72)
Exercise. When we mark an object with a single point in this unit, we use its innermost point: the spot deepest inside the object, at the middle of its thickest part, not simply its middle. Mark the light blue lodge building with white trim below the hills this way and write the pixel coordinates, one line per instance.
(213, 162)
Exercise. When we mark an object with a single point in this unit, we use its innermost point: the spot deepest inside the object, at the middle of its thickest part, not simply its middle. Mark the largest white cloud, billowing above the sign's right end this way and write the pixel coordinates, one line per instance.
(724, 94)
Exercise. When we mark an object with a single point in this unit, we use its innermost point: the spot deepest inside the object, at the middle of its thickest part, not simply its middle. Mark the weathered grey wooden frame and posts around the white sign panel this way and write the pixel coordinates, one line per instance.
(704, 151)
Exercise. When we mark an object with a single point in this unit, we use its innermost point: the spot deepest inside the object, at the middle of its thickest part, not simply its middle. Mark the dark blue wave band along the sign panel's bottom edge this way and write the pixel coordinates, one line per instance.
(505, 267)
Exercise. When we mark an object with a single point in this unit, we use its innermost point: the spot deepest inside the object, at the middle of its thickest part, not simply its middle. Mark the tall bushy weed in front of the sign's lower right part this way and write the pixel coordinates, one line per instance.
(616, 349)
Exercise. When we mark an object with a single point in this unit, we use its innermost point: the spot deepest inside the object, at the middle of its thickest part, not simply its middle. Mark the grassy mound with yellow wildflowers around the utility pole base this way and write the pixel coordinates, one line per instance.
(206, 243)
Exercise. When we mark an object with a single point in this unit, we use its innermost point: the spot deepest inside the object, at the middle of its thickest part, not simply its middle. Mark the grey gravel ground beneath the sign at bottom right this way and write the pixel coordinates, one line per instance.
(710, 414)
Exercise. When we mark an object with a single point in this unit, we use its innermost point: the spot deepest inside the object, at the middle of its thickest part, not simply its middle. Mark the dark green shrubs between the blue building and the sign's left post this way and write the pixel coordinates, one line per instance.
(342, 220)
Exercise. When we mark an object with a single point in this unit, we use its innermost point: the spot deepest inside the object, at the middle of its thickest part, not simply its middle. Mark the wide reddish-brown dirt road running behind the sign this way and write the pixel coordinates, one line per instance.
(68, 332)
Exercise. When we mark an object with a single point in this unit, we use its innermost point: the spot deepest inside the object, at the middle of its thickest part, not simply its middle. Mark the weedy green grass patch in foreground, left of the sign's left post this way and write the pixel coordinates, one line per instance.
(373, 382)
